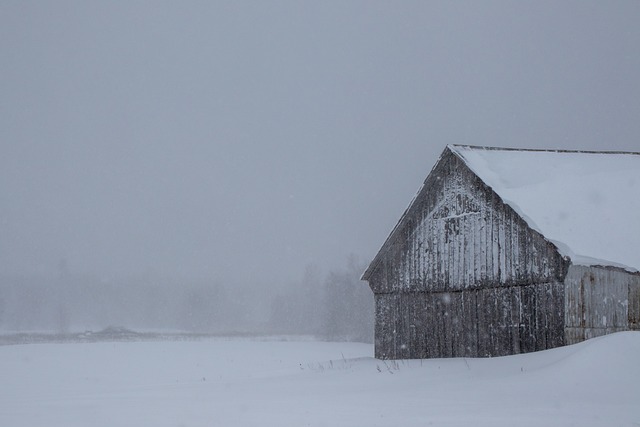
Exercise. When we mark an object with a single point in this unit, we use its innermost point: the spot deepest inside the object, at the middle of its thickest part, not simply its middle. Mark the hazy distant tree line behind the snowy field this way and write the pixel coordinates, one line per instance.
(333, 306)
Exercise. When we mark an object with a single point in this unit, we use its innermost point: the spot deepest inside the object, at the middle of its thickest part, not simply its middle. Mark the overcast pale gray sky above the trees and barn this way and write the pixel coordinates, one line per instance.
(243, 140)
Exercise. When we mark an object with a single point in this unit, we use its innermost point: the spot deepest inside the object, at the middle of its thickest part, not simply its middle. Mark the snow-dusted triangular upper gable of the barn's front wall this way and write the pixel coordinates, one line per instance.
(468, 238)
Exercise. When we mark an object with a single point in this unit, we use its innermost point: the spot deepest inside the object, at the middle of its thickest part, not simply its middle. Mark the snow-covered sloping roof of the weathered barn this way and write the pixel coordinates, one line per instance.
(586, 203)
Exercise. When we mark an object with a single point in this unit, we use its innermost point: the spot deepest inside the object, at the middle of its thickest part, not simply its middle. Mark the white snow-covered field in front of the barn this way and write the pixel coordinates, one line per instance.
(262, 383)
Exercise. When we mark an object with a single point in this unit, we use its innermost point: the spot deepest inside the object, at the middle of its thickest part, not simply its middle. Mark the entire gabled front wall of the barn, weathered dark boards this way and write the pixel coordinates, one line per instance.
(460, 243)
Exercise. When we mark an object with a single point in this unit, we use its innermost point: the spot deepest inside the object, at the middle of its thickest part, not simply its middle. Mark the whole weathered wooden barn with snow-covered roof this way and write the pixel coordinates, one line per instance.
(506, 251)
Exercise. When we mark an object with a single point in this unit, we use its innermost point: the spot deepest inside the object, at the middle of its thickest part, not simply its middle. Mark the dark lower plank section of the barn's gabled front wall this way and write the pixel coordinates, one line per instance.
(471, 323)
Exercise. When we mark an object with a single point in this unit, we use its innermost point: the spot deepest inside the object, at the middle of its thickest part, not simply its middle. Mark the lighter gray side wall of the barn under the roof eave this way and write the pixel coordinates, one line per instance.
(600, 301)
